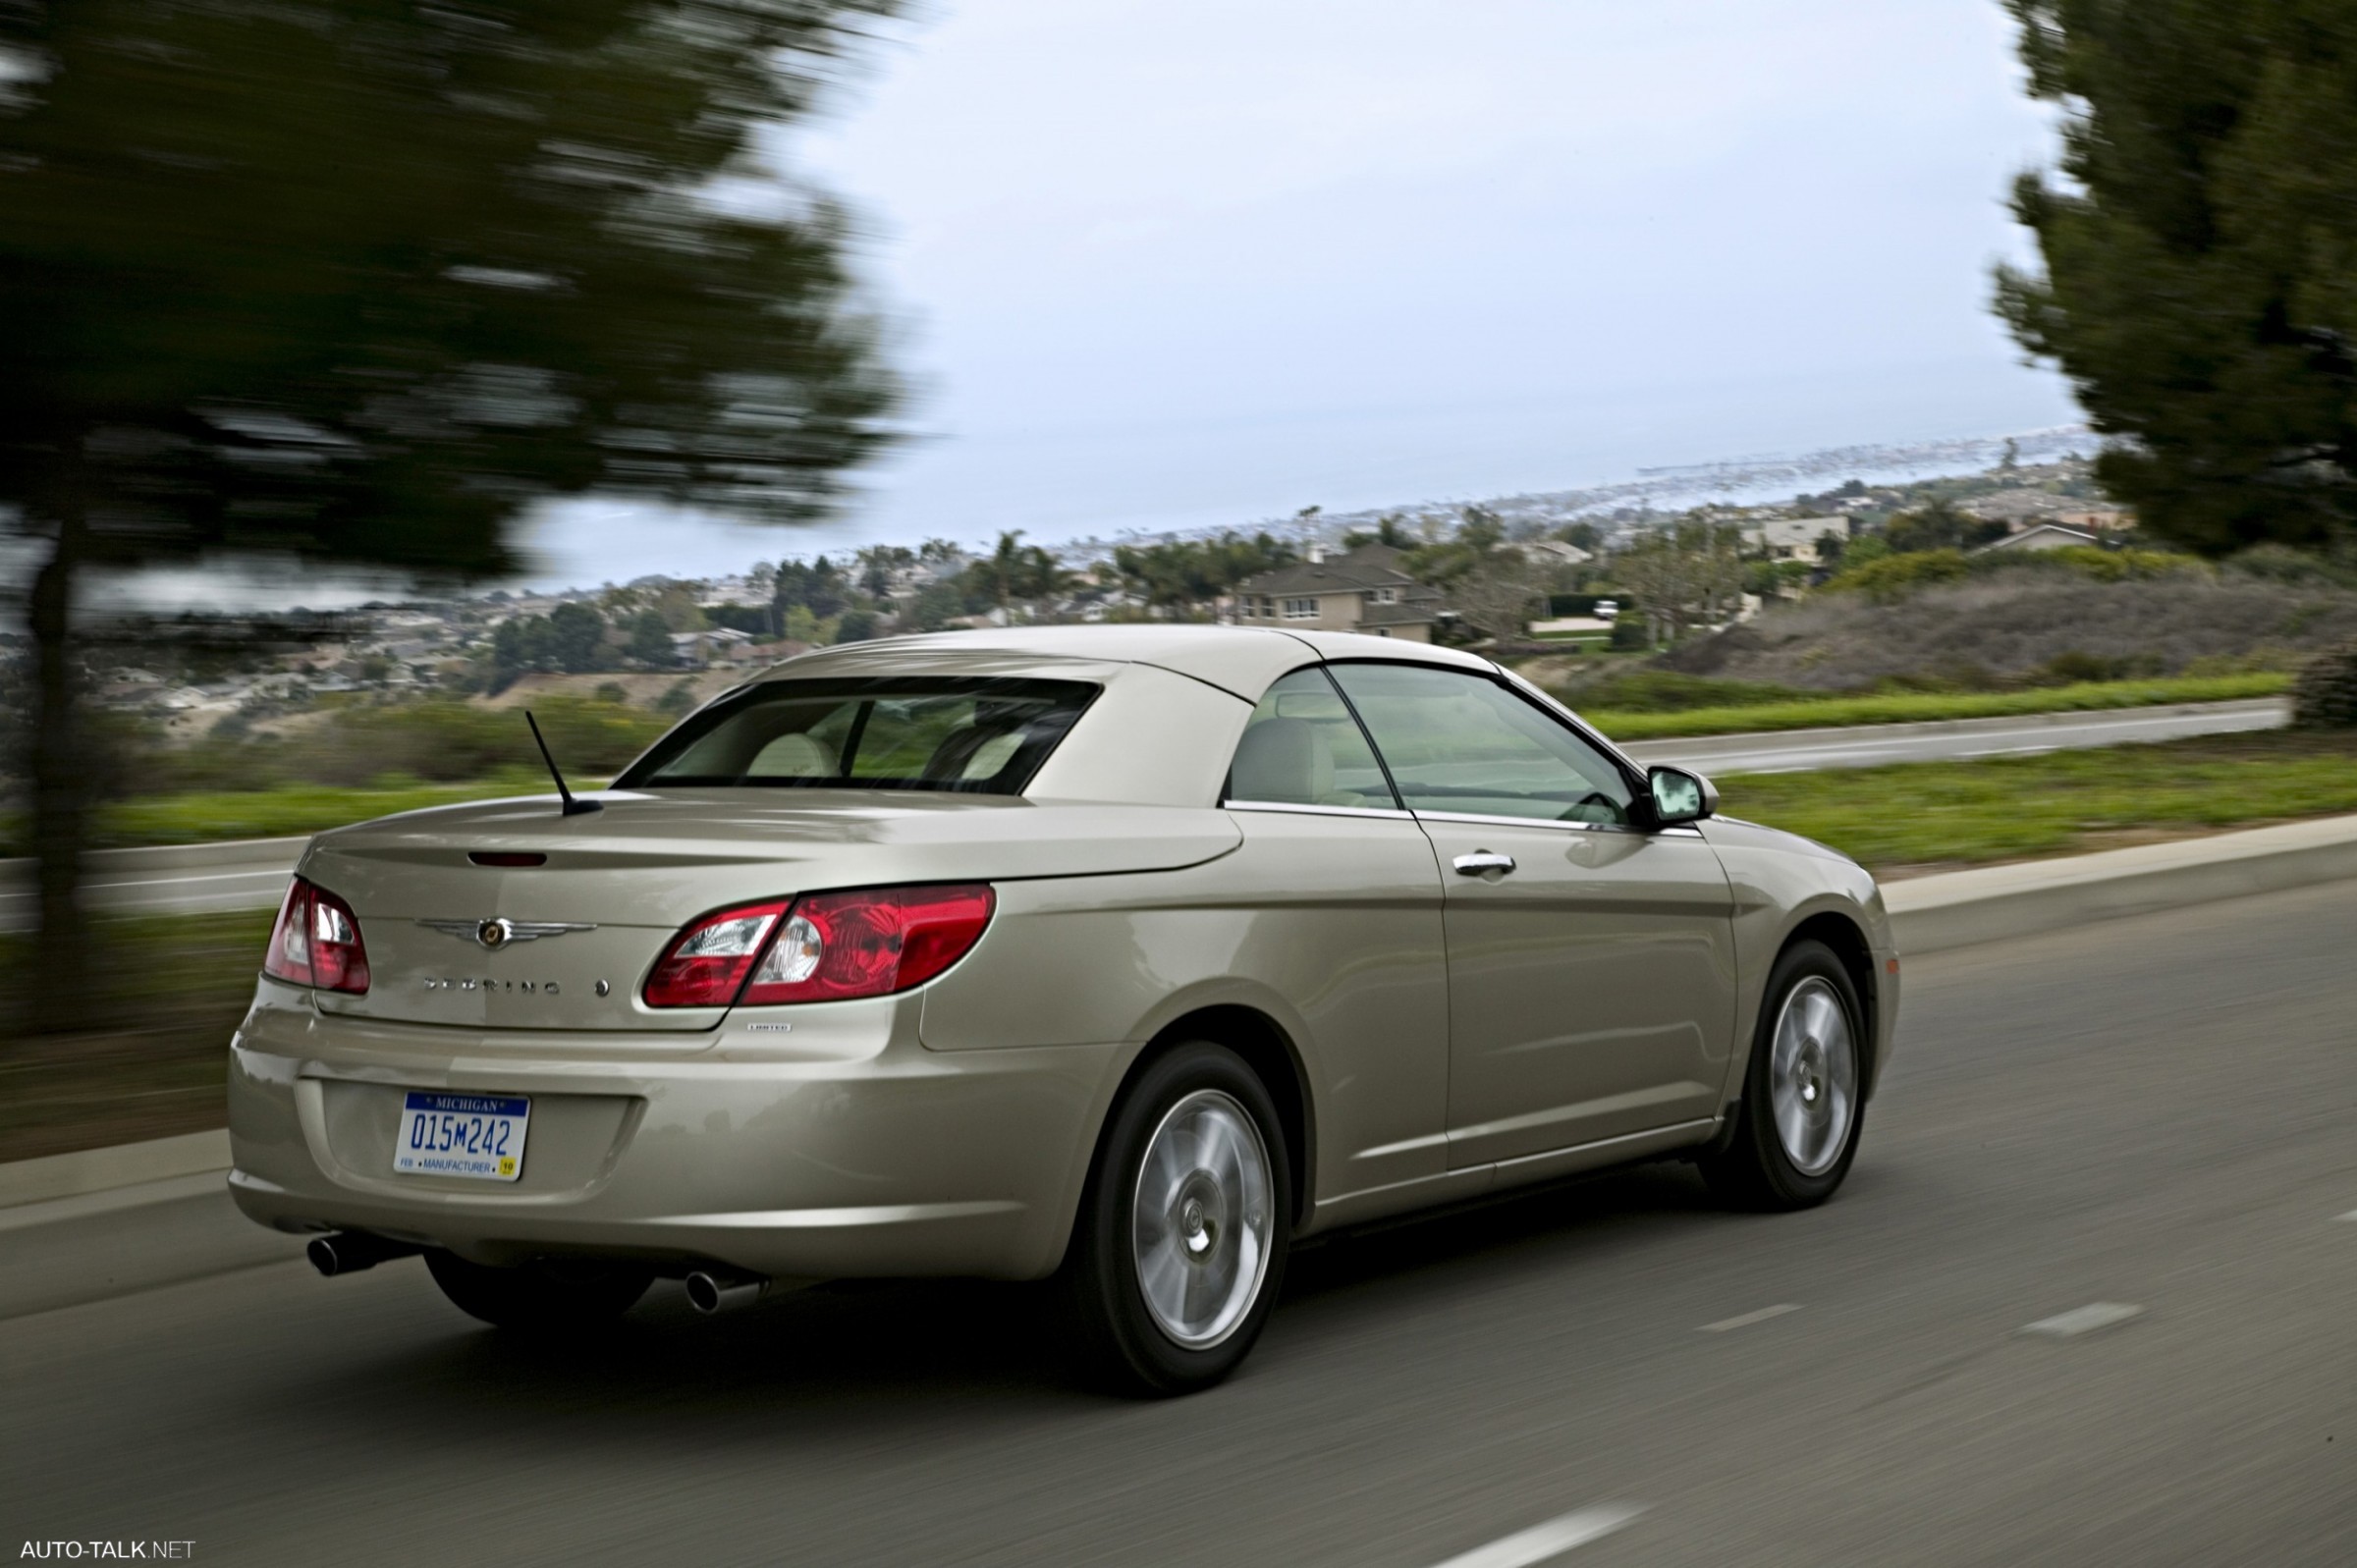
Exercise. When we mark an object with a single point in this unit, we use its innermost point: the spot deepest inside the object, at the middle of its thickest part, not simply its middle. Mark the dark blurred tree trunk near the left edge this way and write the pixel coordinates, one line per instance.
(60, 791)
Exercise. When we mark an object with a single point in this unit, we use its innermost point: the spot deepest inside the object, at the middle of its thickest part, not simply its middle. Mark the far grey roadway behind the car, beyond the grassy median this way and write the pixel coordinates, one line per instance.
(256, 876)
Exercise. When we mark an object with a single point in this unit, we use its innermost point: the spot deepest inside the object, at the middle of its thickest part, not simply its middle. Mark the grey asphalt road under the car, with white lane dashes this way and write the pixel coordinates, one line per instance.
(2146, 1114)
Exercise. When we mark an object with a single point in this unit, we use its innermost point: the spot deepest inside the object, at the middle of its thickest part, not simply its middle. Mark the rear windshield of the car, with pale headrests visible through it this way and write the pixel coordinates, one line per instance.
(972, 734)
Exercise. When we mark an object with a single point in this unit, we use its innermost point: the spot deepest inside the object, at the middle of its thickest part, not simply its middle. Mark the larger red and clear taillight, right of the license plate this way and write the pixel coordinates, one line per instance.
(821, 949)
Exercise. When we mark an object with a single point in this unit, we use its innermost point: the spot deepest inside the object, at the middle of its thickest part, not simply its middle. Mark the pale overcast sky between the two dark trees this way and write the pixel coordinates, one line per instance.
(1173, 263)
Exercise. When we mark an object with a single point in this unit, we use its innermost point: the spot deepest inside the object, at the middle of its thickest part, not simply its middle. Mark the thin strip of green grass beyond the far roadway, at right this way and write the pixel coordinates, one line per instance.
(1924, 706)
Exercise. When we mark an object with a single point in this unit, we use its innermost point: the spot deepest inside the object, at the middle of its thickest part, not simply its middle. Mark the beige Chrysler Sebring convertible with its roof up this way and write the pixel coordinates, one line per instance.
(1125, 956)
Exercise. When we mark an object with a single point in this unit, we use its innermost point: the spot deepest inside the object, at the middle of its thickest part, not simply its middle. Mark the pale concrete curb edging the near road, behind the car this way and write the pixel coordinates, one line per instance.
(105, 1223)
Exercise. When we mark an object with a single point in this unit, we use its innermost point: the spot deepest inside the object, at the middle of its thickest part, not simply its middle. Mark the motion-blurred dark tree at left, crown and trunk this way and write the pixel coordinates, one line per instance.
(359, 284)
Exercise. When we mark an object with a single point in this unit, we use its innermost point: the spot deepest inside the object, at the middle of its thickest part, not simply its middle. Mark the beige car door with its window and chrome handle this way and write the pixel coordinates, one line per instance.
(1592, 966)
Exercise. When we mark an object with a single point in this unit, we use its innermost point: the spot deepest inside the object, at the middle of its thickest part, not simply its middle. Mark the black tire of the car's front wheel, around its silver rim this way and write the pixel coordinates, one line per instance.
(1755, 1168)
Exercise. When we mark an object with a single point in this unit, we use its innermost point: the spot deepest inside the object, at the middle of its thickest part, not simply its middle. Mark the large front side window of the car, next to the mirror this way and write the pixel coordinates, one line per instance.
(1465, 744)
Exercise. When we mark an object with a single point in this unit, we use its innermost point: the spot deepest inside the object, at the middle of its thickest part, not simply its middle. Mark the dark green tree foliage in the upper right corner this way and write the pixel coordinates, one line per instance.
(2198, 242)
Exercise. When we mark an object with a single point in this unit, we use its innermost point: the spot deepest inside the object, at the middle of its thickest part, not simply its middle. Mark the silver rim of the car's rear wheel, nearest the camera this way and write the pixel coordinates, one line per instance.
(1201, 1220)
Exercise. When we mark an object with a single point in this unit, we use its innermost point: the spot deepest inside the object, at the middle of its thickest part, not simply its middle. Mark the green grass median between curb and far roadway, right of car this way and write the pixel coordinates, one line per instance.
(2056, 803)
